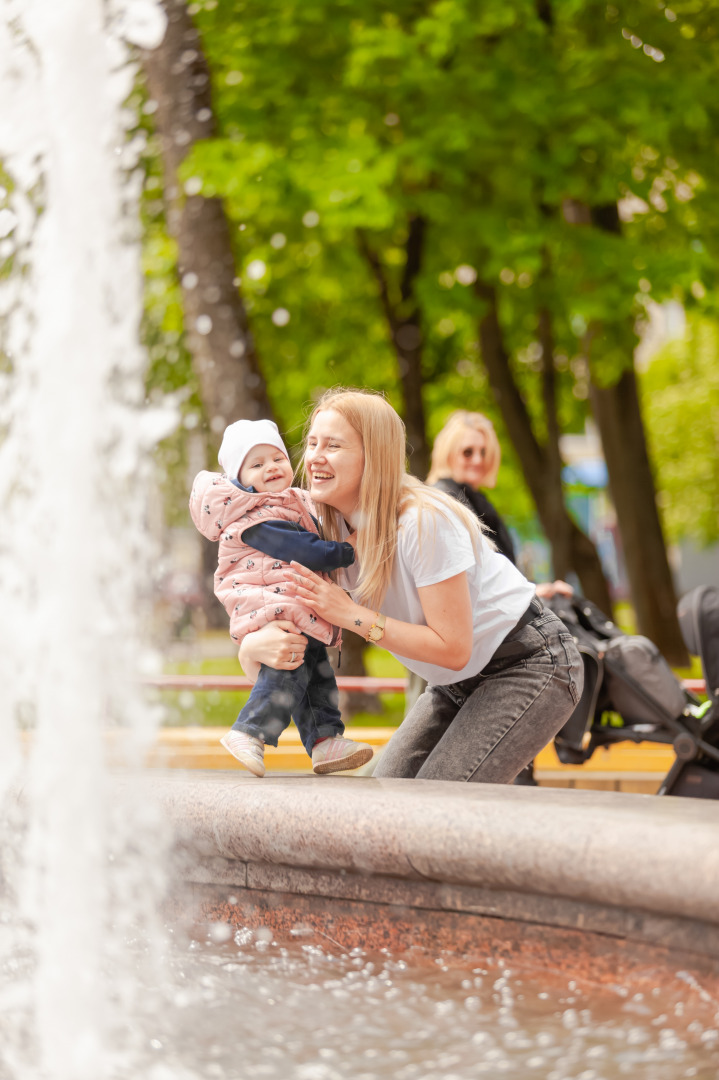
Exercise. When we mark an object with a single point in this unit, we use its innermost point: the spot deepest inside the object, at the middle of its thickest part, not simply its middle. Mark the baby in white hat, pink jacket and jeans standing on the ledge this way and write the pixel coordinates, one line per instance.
(263, 523)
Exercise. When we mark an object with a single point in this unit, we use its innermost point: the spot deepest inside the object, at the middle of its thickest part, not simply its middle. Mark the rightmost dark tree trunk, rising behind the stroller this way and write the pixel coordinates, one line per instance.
(618, 413)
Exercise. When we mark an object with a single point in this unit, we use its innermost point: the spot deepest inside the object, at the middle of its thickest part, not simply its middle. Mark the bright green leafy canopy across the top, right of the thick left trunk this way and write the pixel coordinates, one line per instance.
(506, 125)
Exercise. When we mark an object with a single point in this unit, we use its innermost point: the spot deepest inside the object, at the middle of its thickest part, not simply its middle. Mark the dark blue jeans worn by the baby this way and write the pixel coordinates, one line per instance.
(307, 695)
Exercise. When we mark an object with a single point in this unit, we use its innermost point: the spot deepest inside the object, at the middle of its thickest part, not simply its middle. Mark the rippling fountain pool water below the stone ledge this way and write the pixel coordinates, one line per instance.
(250, 1007)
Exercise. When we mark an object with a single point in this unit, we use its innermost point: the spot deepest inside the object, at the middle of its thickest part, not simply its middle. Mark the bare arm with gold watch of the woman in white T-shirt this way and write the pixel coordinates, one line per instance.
(446, 641)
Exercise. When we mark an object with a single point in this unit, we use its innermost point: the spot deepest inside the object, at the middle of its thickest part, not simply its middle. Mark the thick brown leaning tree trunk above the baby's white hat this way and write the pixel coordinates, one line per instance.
(222, 345)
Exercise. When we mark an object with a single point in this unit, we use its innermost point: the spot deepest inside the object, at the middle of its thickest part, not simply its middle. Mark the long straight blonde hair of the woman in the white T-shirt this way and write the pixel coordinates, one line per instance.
(386, 490)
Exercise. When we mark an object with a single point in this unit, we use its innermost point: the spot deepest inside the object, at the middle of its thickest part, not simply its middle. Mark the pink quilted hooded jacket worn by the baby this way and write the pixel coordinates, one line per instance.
(248, 583)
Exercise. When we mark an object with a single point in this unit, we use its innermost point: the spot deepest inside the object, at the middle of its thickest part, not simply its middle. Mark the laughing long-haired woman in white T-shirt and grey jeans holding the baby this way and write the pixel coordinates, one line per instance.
(505, 674)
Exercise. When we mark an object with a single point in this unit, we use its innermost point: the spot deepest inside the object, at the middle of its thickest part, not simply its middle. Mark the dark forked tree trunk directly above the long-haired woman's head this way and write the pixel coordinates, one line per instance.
(404, 321)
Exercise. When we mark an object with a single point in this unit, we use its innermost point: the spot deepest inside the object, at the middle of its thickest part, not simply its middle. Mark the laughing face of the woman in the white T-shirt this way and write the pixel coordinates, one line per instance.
(335, 462)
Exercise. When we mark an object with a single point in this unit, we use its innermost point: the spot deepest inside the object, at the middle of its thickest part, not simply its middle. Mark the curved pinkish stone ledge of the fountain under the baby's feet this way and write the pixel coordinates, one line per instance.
(604, 853)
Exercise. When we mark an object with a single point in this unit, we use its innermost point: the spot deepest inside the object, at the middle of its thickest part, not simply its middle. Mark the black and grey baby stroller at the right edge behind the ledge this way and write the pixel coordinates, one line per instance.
(631, 693)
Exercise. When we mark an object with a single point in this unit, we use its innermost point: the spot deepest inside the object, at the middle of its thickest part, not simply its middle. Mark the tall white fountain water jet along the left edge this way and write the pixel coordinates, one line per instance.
(72, 488)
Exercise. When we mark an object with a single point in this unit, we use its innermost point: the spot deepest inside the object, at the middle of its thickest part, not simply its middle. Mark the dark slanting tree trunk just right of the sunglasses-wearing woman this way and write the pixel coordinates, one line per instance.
(542, 472)
